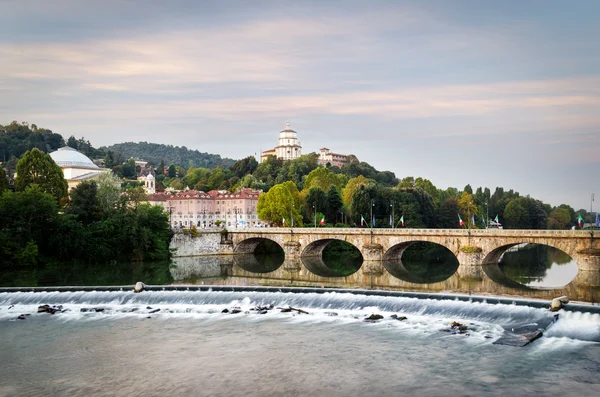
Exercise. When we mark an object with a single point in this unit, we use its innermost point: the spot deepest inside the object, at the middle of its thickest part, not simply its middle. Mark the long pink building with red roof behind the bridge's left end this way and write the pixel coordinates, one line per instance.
(203, 210)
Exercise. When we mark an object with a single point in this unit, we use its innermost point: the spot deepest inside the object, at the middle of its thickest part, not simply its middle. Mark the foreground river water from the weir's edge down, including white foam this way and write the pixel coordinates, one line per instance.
(190, 347)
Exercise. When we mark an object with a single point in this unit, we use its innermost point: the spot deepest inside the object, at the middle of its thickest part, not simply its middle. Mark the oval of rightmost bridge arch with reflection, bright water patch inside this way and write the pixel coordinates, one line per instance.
(533, 266)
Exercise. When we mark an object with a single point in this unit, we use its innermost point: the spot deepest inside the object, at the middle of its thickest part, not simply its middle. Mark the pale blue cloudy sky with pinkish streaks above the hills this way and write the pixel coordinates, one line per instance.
(486, 93)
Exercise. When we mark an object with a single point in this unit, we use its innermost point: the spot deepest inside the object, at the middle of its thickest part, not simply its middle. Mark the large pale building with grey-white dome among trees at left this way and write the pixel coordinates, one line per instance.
(76, 166)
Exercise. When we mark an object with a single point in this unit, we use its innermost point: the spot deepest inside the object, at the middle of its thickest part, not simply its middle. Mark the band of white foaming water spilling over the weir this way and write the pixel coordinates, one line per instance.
(425, 317)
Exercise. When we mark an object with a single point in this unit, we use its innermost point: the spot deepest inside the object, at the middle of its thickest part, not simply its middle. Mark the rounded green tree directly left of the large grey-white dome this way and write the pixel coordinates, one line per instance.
(37, 167)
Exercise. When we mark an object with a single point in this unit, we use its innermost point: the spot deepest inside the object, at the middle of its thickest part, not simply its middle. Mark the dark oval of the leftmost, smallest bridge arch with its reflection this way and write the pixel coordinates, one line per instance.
(259, 255)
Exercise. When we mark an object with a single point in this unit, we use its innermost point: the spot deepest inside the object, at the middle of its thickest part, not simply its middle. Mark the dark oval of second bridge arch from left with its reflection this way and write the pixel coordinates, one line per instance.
(332, 258)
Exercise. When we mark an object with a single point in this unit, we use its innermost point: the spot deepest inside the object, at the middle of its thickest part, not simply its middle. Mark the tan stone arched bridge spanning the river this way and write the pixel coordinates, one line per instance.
(472, 247)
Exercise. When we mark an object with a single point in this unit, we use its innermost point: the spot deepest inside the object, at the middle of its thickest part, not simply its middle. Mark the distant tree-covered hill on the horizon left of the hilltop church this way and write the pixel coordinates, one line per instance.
(177, 155)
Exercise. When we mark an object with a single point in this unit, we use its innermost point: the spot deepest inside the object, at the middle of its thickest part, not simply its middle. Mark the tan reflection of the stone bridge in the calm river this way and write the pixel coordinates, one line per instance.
(224, 270)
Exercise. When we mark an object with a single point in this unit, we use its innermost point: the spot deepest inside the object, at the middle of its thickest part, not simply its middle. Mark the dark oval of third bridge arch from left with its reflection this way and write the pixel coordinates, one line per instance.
(420, 262)
